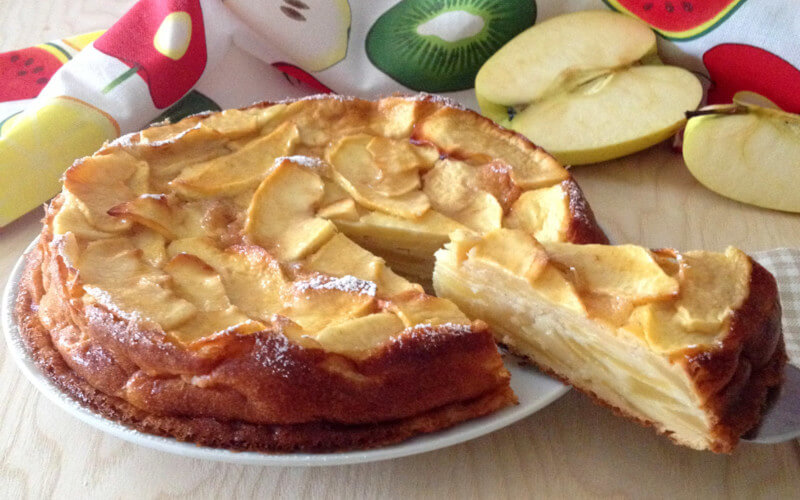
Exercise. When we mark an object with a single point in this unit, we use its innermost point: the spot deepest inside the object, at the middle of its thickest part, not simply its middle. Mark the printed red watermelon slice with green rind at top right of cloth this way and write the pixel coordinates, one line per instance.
(678, 19)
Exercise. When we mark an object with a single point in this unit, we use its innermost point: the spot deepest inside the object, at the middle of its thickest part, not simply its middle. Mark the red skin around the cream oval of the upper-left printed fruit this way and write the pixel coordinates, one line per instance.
(131, 41)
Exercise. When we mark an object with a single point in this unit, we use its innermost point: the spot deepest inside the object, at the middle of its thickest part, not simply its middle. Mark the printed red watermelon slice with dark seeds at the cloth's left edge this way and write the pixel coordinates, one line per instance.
(25, 72)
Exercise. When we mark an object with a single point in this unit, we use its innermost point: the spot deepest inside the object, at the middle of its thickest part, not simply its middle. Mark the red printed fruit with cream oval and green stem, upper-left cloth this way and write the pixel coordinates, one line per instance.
(164, 42)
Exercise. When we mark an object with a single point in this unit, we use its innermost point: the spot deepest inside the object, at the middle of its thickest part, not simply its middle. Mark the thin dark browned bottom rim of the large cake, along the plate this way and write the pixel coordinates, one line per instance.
(232, 434)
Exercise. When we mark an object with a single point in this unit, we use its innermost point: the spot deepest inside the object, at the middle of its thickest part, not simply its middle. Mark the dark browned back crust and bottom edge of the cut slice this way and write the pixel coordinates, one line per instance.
(734, 377)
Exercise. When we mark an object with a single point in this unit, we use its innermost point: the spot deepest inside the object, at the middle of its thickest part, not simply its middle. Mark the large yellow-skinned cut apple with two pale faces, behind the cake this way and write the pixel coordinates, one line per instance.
(587, 87)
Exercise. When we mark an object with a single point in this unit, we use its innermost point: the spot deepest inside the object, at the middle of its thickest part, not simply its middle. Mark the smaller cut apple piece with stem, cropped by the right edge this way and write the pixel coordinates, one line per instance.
(748, 151)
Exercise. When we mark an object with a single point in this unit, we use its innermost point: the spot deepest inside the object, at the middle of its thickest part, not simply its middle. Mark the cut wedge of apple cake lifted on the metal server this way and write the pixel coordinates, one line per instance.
(689, 343)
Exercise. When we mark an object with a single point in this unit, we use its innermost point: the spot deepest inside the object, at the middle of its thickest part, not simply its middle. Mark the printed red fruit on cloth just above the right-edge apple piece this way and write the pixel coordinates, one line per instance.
(734, 67)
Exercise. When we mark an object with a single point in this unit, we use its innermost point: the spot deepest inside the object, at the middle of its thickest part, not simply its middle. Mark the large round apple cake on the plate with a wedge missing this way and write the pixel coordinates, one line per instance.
(230, 280)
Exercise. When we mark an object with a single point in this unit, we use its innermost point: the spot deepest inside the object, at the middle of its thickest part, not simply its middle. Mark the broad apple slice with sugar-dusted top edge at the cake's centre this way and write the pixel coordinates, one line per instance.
(281, 215)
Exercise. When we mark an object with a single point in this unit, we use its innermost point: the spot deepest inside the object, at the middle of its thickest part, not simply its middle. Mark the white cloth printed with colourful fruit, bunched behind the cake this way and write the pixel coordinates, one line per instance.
(169, 58)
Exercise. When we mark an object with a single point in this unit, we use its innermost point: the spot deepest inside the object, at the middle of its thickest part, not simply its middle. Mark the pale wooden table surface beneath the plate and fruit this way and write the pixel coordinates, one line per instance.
(570, 449)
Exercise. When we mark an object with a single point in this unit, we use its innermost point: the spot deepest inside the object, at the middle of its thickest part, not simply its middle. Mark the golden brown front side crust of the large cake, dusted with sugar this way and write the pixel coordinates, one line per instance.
(259, 391)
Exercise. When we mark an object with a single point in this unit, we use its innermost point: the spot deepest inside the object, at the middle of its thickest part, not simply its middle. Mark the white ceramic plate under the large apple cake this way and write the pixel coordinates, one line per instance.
(535, 391)
